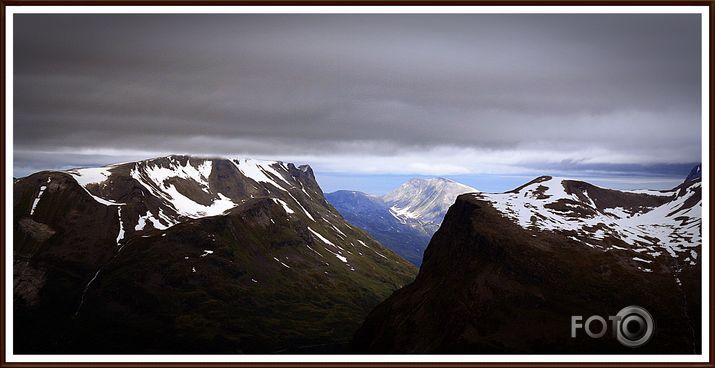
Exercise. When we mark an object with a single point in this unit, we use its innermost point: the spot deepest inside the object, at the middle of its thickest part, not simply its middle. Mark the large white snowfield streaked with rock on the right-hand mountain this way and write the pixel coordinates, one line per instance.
(671, 226)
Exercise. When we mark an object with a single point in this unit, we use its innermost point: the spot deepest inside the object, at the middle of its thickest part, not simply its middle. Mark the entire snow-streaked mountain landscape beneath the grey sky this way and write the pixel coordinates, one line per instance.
(183, 254)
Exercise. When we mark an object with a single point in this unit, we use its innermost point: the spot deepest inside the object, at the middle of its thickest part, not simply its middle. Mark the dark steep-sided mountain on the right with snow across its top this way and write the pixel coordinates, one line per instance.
(505, 272)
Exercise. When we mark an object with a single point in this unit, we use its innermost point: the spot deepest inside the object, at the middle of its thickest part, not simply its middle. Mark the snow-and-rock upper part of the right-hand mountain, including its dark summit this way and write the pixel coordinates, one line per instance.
(648, 224)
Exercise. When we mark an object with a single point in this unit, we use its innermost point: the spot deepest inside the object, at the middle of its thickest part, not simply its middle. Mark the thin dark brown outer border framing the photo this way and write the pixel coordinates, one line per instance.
(3, 200)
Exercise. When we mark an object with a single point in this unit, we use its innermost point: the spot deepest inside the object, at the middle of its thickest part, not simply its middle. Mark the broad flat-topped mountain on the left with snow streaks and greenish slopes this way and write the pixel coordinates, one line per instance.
(190, 255)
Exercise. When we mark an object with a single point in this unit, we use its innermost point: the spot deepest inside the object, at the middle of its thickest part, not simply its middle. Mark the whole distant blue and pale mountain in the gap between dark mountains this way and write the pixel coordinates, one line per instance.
(403, 219)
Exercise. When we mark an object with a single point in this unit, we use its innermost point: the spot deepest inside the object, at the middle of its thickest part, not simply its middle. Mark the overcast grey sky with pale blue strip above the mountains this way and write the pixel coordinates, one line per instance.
(367, 95)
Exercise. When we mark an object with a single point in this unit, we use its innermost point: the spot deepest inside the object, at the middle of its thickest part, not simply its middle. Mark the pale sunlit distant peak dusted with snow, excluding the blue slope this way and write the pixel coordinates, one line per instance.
(422, 203)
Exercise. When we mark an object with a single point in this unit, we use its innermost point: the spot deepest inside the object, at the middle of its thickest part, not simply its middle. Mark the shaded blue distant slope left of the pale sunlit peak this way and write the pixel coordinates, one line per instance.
(371, 214)
